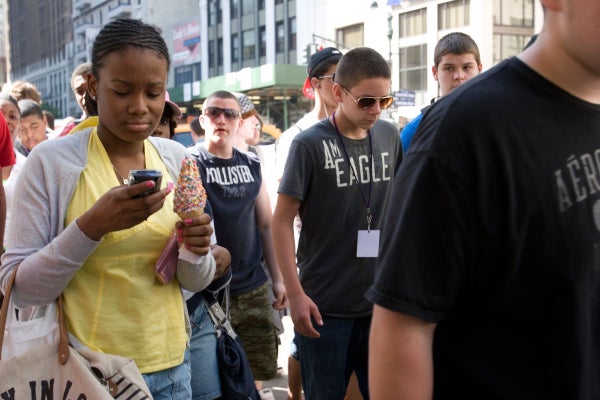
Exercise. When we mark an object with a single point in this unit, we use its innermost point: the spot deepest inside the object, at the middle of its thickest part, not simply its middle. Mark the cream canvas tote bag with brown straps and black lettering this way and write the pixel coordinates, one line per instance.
(57, 370)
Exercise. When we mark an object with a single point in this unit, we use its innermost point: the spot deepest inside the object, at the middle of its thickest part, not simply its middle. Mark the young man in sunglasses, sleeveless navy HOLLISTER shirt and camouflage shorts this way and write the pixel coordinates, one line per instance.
(242, 219)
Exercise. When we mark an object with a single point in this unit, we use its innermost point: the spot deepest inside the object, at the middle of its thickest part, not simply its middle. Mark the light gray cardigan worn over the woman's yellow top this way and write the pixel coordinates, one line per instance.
(49, 253)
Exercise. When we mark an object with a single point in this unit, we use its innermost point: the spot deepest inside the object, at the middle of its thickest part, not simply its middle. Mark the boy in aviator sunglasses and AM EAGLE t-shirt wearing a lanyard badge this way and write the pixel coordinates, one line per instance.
(338, 170)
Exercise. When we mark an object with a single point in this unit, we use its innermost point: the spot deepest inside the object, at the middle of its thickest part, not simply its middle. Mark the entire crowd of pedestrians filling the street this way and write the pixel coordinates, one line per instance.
(457, 258)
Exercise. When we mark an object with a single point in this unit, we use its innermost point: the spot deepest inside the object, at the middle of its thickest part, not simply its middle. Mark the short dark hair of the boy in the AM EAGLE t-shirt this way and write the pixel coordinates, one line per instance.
(359, 64)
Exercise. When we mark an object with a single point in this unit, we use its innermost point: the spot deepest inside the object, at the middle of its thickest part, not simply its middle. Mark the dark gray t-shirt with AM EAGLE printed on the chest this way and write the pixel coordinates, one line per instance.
(333, 210)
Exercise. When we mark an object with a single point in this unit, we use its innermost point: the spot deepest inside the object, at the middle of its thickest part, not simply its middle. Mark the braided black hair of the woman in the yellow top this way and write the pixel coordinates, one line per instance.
(123, 33)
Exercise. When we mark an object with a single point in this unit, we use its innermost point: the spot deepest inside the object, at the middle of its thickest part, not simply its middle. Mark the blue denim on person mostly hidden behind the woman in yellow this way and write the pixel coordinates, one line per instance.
(206, 384)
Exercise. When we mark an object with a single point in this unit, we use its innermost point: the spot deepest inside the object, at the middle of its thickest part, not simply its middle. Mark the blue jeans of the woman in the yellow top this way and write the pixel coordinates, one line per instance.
(172, 383)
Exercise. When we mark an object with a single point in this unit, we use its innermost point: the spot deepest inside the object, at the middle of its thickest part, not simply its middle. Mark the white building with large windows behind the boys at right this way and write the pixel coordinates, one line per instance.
(406, 31)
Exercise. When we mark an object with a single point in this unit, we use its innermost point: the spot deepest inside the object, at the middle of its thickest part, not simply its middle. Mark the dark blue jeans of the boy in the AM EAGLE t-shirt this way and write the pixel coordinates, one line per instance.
(328, 361)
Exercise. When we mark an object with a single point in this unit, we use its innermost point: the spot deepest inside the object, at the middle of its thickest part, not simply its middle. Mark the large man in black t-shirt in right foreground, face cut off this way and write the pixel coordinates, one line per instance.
(488, 286)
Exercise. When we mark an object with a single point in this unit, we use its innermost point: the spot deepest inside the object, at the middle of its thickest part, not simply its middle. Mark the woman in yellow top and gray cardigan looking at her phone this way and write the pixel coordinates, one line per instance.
(86, 234)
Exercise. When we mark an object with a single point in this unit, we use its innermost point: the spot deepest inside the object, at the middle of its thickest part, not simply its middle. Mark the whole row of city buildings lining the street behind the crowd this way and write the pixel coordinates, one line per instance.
(260, 47)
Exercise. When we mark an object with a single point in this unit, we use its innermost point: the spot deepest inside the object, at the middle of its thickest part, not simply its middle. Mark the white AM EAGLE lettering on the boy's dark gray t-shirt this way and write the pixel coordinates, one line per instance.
(377, 171)
